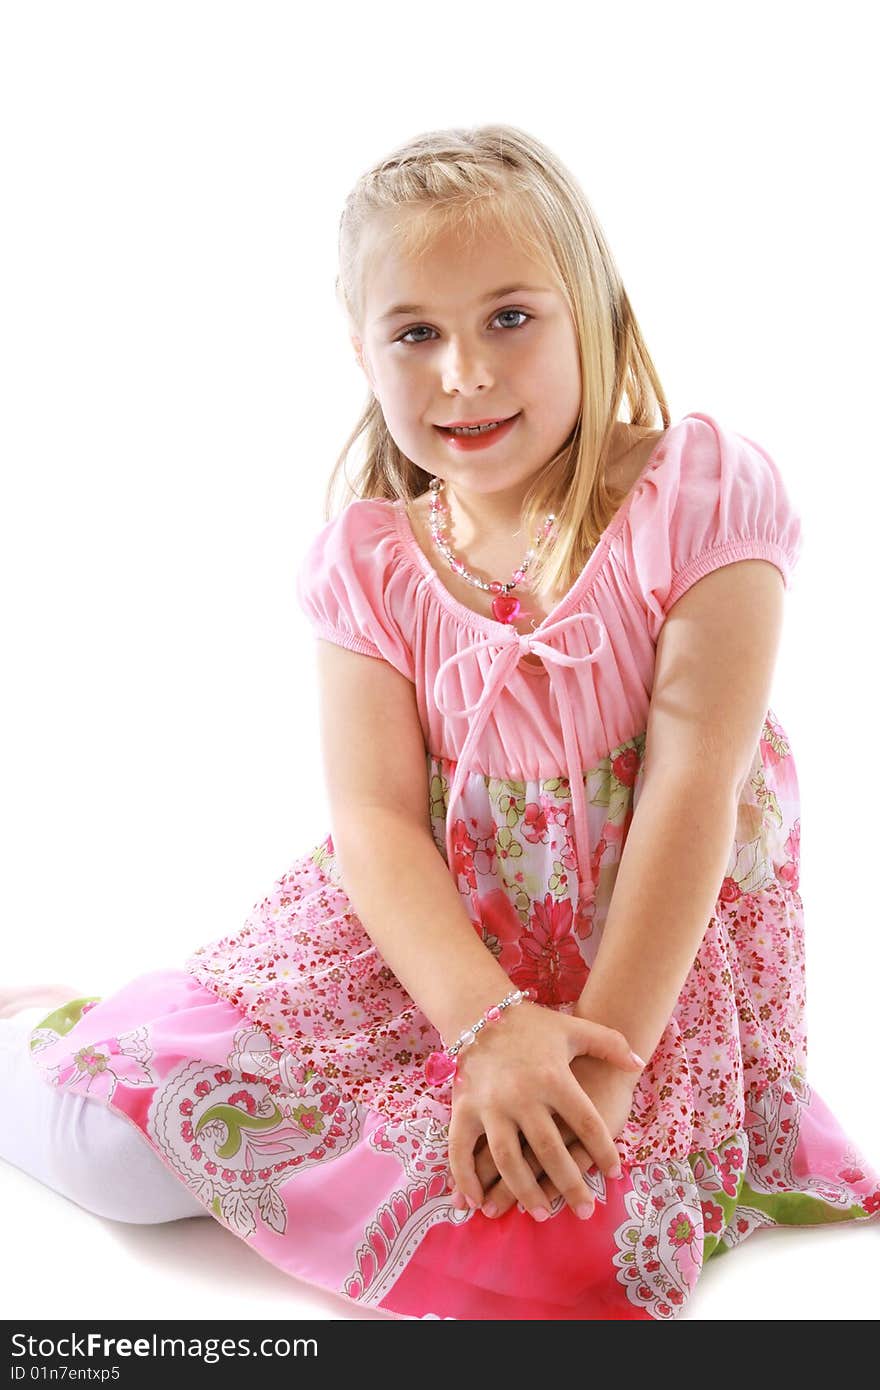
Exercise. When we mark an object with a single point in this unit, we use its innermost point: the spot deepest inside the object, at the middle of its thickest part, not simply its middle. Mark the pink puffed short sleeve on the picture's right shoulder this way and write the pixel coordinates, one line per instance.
(711, 498)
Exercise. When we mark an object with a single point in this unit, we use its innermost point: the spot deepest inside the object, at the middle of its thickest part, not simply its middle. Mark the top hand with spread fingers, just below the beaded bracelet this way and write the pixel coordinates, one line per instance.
(516, 1079)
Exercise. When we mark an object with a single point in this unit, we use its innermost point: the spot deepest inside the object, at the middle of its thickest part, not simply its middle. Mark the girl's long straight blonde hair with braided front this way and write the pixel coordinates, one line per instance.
(497, 177)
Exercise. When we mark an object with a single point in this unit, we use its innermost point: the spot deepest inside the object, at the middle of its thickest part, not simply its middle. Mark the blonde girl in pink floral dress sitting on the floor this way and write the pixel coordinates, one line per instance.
(558, 922)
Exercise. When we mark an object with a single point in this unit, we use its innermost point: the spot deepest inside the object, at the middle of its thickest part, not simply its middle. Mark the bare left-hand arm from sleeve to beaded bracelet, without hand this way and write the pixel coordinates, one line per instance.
(396, 876)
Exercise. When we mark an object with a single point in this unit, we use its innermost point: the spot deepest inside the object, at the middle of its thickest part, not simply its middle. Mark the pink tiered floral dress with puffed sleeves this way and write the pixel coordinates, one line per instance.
(279, 1072)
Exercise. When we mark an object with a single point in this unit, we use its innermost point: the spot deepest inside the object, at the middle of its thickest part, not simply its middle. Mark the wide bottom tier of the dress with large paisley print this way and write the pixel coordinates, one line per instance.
(339, 1193)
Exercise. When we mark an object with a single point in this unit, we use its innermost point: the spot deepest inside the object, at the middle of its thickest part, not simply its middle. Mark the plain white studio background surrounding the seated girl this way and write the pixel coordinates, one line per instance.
(177, 384)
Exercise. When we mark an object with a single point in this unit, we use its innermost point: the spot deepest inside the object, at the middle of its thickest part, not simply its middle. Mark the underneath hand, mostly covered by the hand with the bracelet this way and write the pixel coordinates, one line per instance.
(611, 1092)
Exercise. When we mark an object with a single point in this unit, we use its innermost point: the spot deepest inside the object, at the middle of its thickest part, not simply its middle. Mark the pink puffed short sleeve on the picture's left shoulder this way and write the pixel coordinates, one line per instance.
(344, 580)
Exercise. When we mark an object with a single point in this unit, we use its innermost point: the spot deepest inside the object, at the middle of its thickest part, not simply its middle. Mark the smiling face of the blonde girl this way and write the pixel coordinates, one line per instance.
(464, 354)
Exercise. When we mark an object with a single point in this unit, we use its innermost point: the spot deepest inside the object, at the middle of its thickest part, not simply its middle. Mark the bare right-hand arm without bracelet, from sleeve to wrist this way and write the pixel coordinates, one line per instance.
(714, 671)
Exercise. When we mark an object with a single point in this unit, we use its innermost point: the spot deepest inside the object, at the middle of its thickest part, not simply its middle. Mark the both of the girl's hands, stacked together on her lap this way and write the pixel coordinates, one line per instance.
(555, 1081)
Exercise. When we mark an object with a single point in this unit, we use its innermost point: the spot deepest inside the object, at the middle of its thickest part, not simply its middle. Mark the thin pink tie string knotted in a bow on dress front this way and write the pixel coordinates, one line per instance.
(511, 653)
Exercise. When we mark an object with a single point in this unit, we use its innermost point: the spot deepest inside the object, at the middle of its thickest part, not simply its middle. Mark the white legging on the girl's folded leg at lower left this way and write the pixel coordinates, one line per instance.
(77, 1146)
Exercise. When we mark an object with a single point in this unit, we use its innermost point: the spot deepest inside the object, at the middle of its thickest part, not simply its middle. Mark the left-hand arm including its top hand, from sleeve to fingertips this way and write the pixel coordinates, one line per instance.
(408, 903)
